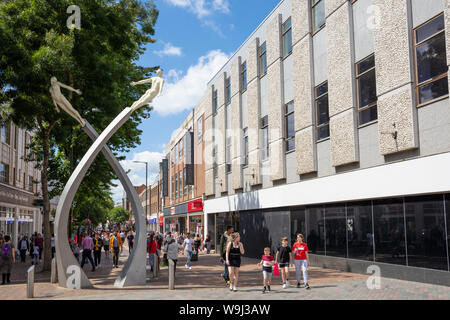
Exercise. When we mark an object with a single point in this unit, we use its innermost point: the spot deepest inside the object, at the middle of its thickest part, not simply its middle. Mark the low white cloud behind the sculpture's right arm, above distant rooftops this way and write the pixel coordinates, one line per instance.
(137, 173)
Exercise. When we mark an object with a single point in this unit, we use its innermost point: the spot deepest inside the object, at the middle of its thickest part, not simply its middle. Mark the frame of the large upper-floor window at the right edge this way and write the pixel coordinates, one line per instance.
(416, 66)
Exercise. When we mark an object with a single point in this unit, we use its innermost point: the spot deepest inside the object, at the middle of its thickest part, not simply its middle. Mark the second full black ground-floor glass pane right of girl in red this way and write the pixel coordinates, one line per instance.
(335, 231)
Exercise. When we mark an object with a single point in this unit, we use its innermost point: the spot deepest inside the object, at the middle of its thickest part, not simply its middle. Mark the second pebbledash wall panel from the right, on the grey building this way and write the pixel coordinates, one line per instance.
(343, 132)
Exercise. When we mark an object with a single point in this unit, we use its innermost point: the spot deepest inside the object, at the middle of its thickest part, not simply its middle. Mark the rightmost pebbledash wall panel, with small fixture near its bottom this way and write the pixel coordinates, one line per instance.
(393, 70)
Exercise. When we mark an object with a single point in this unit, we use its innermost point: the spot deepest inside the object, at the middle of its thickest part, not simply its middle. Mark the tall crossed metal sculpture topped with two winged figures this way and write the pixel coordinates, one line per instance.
(134, 271)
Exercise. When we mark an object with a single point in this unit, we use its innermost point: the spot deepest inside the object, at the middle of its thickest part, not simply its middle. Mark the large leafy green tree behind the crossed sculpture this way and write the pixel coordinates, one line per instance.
(98, 59)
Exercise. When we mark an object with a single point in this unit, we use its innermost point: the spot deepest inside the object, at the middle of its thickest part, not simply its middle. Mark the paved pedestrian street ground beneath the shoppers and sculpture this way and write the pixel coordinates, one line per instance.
(204, 282)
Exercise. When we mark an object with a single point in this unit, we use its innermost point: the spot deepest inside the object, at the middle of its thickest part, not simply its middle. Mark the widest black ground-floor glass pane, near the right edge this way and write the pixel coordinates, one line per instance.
(425, 232)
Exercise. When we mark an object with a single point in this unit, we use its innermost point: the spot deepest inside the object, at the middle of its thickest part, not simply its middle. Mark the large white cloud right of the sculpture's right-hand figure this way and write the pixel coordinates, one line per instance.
(186, 91)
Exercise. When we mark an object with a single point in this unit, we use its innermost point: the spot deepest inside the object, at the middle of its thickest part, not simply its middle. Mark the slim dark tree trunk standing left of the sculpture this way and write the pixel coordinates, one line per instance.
(44, 181)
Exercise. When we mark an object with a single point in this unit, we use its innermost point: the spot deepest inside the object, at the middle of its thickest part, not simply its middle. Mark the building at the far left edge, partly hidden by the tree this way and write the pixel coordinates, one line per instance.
(19, 184)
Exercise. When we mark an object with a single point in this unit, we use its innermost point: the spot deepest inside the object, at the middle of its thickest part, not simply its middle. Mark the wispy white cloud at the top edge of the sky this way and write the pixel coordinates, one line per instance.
(202, 8)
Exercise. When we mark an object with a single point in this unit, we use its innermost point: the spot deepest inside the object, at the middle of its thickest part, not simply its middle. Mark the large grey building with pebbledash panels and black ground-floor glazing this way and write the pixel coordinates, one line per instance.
(333, 120)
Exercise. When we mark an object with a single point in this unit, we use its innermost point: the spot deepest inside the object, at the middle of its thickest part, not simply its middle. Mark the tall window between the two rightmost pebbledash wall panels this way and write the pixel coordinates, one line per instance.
(367, 90)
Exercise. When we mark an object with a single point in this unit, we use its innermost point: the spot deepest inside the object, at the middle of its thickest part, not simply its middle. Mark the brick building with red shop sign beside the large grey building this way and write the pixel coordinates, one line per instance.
(184, 169)
